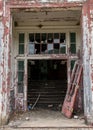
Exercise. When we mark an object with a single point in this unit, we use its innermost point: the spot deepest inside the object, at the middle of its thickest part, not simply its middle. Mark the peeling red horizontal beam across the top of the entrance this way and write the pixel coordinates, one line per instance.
(44, 3)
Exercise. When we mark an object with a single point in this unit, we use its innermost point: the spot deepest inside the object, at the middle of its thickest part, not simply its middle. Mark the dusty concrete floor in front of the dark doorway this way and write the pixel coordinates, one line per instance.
(45, 118)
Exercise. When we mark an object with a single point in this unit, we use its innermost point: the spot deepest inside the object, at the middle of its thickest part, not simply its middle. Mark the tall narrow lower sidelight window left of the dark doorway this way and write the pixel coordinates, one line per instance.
(20, 76)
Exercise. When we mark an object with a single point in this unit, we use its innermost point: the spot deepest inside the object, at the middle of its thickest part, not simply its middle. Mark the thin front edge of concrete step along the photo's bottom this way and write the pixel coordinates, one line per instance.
(46, 128)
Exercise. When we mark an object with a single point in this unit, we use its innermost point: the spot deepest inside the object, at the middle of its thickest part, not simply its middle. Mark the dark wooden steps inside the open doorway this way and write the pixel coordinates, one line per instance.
(48, 93)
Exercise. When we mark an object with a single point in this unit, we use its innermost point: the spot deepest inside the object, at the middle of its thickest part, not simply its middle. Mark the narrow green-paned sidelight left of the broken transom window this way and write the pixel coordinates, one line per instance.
(21, 43)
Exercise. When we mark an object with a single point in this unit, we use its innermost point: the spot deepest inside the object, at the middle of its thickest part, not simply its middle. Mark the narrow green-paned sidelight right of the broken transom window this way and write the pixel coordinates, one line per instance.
(73, 43)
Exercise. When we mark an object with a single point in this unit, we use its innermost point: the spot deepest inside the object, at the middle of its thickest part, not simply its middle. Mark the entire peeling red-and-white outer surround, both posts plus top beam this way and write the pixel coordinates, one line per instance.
(5, 52)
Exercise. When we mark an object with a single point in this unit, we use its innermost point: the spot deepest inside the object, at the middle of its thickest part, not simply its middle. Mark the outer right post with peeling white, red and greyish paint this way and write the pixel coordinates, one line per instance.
(87, 27)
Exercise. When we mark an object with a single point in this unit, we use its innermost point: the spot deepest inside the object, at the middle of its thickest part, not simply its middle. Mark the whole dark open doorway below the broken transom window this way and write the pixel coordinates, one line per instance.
(47, 83)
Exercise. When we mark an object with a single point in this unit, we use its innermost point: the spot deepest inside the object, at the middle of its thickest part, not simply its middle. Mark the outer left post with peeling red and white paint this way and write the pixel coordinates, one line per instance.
(4, 62)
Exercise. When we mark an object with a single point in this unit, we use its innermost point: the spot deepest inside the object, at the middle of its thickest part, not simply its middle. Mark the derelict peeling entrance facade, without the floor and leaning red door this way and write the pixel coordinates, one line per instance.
(40, 40)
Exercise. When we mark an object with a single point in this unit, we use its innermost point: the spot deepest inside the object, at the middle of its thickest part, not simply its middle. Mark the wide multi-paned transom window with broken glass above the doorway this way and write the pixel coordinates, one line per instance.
(47, 43)
